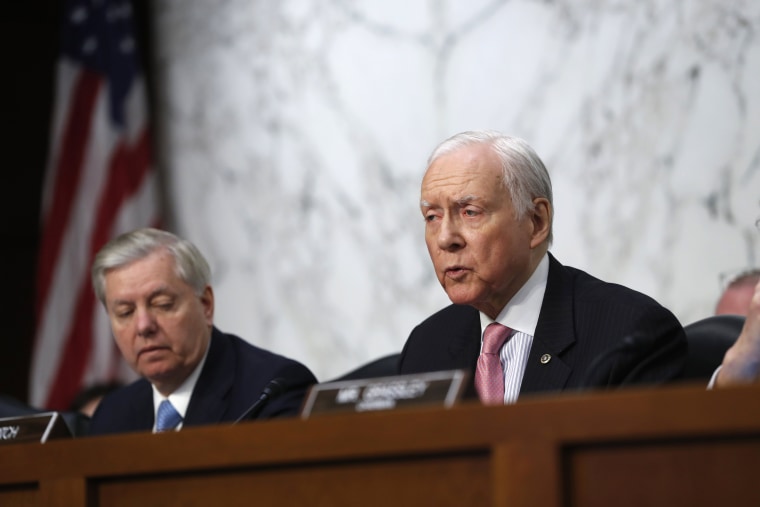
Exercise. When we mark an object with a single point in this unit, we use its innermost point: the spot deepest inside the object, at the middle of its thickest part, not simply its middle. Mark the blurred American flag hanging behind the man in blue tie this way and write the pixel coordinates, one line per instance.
(99, 183)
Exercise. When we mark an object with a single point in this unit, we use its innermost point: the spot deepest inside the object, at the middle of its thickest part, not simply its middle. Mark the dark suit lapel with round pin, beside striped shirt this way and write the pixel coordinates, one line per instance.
(554, 334)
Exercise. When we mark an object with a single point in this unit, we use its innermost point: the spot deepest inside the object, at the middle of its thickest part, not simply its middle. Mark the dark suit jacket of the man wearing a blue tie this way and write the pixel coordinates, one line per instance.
(232, 379)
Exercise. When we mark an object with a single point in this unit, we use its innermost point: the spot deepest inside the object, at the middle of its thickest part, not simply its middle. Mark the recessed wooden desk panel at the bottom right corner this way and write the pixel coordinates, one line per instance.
(714, 472)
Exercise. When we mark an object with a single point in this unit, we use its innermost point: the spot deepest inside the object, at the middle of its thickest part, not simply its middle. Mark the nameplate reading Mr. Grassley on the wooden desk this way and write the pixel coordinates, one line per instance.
(443, 389)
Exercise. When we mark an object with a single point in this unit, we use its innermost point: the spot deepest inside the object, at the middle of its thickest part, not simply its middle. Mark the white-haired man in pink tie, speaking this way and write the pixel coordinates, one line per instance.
(522, 322)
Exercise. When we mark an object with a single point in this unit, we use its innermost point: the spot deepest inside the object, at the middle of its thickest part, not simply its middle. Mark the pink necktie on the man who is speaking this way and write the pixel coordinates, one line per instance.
(489, 375)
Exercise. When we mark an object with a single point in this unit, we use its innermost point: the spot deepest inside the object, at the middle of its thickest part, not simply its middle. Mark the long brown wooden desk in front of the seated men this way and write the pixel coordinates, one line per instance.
(674, 446)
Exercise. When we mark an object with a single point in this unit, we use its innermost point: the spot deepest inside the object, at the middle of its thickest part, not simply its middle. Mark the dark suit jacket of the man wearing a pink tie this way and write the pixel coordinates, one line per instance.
(598, 334)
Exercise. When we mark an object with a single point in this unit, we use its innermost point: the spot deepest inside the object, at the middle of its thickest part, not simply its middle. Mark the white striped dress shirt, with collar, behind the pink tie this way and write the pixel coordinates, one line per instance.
(521, 315)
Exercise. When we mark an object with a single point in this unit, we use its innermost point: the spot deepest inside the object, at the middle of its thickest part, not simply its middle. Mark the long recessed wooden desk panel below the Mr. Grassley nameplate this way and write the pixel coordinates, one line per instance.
(436, 480)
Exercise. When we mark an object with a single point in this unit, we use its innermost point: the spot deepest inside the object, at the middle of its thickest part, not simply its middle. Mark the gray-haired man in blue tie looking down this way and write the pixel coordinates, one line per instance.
(157, 292)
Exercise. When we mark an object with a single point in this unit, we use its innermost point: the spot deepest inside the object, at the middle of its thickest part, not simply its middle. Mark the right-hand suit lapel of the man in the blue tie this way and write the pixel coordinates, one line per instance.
(208, 402)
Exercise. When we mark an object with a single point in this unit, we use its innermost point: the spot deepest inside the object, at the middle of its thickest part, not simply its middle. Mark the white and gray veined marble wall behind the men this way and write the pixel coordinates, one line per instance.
(293, 135)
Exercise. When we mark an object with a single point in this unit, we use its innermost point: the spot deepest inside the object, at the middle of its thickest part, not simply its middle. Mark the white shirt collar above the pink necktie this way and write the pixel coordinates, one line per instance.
(522, 311)
